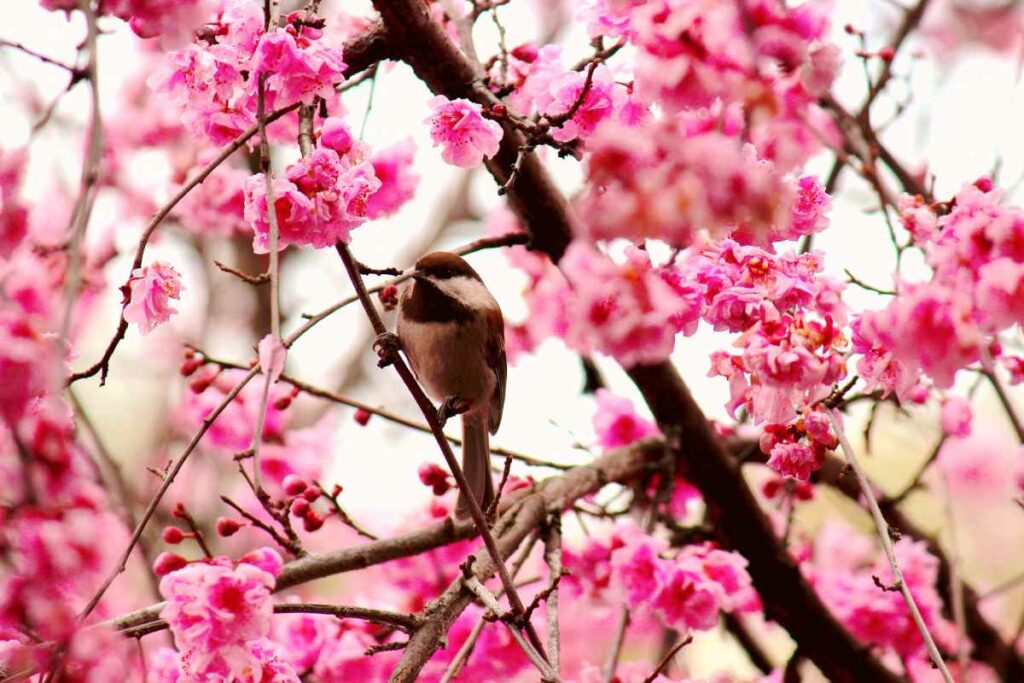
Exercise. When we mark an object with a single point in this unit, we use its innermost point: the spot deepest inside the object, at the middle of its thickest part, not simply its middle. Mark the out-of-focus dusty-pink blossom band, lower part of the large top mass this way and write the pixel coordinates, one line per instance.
(673, 180)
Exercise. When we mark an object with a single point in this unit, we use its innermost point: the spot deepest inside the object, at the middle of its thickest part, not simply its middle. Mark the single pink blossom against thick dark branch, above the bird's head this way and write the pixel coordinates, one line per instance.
(459, 127)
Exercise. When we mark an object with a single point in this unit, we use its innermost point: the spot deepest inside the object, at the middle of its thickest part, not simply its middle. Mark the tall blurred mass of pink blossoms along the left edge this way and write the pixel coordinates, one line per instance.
(60, 534)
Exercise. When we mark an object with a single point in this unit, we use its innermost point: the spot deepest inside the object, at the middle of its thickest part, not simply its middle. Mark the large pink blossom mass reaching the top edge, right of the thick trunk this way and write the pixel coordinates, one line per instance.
(738, 83)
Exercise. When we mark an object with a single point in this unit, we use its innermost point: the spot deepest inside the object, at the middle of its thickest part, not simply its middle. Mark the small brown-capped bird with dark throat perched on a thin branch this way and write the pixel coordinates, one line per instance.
(453, 332)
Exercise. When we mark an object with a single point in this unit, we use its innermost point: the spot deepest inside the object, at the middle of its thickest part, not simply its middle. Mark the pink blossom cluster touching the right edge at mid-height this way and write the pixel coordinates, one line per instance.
(975, 246)
